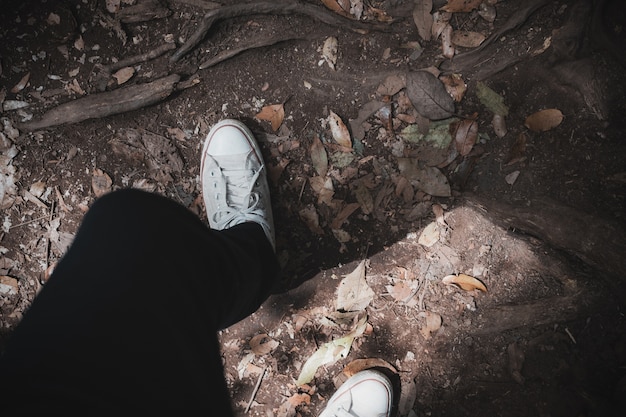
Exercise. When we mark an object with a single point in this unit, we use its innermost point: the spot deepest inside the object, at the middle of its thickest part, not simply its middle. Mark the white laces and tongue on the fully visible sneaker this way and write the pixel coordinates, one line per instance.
(243, 204)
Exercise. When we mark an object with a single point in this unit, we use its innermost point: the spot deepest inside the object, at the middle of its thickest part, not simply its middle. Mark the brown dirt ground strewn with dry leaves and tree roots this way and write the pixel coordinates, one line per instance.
(534, 212)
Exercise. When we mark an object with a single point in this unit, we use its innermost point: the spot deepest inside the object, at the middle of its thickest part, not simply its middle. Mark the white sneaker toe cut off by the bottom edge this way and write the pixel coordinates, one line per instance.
(365, 394)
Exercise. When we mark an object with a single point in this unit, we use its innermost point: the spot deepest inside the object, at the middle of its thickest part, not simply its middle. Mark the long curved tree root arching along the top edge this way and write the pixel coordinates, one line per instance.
(279, 8)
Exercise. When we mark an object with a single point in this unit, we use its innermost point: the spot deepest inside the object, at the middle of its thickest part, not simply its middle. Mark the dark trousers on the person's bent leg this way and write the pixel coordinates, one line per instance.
(128, 321)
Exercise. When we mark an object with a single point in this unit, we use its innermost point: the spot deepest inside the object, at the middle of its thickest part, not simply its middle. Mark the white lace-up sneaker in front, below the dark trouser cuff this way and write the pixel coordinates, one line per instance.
(234, 179)
